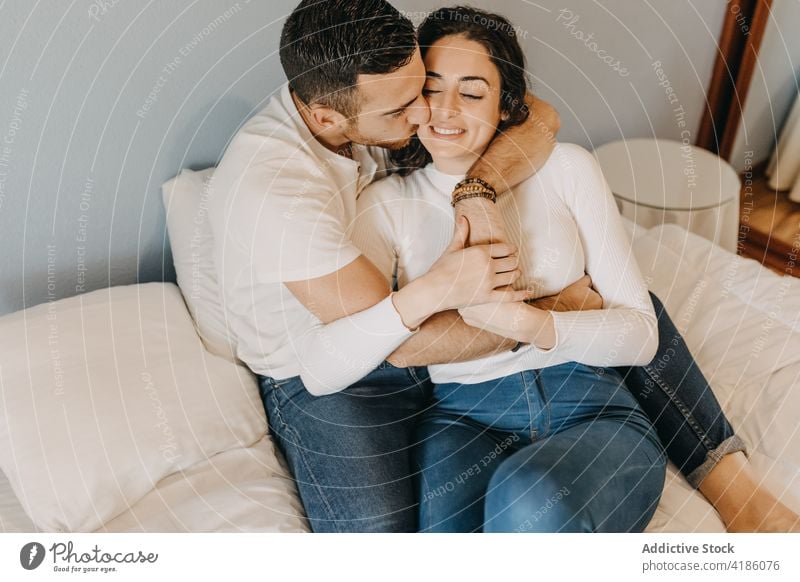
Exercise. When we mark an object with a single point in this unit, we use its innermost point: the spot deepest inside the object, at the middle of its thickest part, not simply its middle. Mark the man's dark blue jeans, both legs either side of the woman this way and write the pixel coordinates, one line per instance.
(351, 452)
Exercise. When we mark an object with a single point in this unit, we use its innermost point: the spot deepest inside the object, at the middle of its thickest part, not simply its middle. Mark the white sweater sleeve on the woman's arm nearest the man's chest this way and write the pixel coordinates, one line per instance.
(342, 352)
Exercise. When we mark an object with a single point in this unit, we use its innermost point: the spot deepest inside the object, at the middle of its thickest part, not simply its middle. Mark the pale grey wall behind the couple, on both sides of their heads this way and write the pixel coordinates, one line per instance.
(102, 101)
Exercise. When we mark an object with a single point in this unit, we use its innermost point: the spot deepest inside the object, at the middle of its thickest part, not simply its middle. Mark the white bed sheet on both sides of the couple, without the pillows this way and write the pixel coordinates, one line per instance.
(741, 321)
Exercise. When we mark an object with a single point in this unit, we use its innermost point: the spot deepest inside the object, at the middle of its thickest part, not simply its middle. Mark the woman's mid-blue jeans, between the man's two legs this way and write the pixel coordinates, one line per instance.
(562, 449)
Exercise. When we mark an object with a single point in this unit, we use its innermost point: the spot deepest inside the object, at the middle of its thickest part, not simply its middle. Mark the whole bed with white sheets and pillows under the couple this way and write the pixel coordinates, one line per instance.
(125, 409)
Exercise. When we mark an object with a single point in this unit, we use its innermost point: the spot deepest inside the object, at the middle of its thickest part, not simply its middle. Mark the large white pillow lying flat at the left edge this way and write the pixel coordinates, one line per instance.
(104, 394)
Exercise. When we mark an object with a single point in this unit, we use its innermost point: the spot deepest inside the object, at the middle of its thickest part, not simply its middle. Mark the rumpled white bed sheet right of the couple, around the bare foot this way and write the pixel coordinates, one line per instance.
(742, 324)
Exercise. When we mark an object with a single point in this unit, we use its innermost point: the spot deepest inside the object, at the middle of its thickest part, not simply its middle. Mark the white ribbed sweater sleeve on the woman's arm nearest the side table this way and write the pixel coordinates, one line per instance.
(625, 331)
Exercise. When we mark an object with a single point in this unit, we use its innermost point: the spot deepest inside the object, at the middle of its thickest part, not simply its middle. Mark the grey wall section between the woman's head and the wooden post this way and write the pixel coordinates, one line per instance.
(598, 103)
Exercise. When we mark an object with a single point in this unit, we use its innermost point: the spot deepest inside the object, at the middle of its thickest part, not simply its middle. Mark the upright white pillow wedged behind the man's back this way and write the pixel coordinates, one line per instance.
(186, 202)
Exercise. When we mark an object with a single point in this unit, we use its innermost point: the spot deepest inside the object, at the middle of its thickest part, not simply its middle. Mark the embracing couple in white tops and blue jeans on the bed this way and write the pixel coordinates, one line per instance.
(448, 326)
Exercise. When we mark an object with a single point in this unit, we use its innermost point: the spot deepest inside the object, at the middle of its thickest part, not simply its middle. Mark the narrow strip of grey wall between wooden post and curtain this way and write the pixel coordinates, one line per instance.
(773, 89)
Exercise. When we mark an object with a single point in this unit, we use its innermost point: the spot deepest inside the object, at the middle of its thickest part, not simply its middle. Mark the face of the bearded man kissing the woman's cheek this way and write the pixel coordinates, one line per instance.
(392, 106)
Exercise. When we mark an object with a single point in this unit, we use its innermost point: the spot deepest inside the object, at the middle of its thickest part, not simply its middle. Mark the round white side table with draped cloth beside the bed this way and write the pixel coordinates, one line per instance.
(658, 181)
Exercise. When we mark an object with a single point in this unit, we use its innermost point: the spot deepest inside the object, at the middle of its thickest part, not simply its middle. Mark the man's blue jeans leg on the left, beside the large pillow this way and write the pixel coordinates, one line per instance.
(350, 452)
